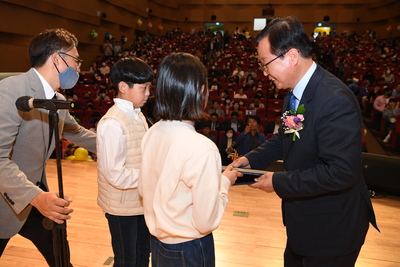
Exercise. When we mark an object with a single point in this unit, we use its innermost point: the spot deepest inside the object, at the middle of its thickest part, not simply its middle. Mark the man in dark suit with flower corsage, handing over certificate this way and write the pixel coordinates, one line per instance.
(326, 206)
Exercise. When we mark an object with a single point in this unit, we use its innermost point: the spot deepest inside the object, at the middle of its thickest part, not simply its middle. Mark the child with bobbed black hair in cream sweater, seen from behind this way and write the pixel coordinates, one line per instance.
(184, 193)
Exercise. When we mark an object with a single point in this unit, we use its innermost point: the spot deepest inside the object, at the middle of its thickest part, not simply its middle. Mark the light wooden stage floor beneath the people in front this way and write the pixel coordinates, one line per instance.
(256, 240)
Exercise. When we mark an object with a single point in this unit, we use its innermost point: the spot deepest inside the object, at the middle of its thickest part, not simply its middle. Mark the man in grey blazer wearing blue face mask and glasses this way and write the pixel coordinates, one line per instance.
(26, 142)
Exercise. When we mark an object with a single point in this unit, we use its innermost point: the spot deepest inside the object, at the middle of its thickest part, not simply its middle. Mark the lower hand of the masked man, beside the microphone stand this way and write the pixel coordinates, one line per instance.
(53, 207)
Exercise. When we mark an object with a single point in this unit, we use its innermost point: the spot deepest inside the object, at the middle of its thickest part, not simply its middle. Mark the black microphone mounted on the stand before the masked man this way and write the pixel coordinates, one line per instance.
(26, 103)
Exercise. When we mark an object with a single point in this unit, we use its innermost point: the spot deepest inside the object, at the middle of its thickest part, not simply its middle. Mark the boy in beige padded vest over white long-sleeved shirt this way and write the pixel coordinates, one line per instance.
(119, 134)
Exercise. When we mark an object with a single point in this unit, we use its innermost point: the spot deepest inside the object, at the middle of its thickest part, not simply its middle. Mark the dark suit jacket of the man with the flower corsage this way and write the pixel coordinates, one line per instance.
(326, 206)
